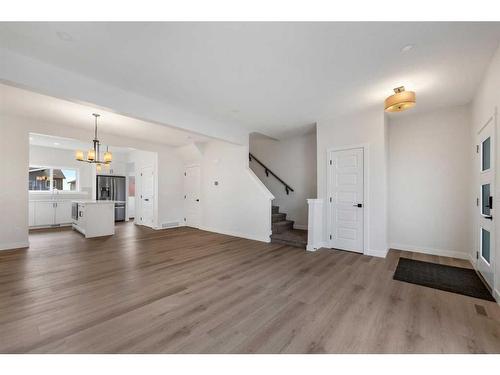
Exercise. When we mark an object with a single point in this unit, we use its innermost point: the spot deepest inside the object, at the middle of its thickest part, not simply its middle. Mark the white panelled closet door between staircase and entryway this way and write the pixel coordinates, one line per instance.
(346, 192)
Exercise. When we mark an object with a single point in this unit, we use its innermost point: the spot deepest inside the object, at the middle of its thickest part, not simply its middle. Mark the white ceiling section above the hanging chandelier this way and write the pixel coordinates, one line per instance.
(50, 110)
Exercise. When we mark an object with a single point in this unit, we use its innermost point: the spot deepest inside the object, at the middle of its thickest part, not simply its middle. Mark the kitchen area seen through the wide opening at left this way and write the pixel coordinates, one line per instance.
(66, 189)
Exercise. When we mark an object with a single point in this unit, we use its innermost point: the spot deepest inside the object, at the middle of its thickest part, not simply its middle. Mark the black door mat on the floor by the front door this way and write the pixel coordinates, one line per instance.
(438, 276)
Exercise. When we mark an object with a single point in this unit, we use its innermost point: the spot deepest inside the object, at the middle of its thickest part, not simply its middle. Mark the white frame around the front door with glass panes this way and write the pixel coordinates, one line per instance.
(477, 189)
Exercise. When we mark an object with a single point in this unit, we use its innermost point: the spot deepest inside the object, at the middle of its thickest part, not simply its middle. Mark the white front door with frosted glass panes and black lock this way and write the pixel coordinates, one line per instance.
(485, 207)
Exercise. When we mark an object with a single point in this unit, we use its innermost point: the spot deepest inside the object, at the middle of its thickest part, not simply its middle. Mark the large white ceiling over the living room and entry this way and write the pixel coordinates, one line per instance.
(274, 78)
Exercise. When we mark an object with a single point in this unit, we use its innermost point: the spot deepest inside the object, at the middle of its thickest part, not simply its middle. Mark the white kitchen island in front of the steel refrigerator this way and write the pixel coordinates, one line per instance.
(94, 218)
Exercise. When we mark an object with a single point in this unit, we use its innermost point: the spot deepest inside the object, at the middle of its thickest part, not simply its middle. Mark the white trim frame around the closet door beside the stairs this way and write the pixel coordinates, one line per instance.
(366, 192)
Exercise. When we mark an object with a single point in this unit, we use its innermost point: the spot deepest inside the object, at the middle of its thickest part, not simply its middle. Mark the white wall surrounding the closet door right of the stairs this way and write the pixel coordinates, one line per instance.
(367, 128)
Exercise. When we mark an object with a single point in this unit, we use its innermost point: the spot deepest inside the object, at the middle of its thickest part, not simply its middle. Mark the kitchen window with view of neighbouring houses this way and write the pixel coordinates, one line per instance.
(52, 179)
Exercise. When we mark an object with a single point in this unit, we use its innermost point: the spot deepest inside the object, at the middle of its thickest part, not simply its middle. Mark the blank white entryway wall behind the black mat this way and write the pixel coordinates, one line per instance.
(430, 182)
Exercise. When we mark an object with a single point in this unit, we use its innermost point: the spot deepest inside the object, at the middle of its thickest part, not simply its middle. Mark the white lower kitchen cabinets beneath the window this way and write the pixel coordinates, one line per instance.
(47, 213)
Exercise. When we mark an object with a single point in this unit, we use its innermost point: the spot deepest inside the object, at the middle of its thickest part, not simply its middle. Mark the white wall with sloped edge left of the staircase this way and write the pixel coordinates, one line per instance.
(239, 204)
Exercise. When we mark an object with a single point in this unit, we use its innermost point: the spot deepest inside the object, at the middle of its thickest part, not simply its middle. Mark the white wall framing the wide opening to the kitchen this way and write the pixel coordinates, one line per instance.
(14, 200)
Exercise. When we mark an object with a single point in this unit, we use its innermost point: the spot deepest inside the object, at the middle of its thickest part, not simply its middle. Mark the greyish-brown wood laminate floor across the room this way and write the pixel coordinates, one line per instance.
(188, 291)
